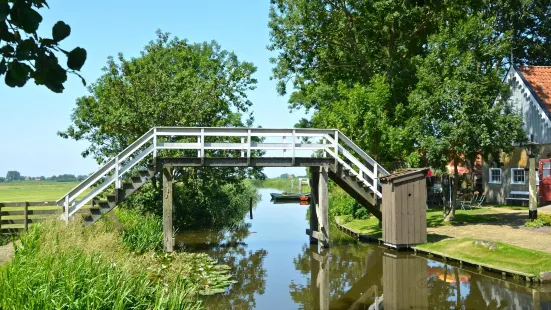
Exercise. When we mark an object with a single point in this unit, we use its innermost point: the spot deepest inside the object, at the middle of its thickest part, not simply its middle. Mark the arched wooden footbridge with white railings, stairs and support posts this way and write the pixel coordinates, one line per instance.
(161, 149)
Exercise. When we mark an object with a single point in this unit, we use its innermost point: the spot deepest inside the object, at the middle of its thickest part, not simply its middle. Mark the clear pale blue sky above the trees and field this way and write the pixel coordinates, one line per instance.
(31, 116)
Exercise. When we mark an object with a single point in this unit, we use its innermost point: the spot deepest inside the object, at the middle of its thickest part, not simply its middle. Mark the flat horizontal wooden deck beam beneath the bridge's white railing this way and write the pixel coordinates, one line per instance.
(243, 162)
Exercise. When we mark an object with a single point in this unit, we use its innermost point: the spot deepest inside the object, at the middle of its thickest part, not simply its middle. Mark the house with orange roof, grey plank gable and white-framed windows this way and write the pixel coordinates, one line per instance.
(530, 96)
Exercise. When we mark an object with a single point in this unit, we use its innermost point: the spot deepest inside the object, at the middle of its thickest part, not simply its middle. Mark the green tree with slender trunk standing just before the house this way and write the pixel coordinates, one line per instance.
(455, 111)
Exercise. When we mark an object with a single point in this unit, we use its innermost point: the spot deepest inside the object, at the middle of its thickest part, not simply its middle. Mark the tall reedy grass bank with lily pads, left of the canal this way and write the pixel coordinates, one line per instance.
(66, 266)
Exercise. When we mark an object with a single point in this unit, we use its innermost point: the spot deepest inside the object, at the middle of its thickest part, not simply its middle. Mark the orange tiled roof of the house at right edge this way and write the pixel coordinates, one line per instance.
(538, 81)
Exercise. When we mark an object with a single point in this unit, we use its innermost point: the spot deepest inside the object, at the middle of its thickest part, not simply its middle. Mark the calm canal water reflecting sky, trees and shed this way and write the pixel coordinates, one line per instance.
(276, 268)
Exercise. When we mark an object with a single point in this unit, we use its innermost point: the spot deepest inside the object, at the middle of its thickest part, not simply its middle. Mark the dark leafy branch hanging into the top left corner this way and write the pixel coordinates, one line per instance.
(24, 55)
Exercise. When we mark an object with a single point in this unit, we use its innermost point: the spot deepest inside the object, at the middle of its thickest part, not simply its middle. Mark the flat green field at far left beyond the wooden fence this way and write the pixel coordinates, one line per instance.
(34, 191)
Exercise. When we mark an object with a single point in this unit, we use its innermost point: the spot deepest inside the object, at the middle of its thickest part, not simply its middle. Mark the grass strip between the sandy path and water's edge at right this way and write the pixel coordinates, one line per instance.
(505, 256)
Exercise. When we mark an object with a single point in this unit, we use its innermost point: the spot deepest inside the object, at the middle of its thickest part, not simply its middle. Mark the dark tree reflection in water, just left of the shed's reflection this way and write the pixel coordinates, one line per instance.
(349, 264)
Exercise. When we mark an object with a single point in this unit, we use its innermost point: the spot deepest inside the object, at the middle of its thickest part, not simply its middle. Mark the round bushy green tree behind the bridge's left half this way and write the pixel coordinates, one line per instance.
(172, 83)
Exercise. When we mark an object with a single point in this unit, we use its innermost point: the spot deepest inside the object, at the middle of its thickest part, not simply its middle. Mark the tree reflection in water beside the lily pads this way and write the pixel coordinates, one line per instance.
(228, 247)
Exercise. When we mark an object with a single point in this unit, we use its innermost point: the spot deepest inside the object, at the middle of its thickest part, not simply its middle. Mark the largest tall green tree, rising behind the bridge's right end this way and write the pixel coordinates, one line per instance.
(335, 54)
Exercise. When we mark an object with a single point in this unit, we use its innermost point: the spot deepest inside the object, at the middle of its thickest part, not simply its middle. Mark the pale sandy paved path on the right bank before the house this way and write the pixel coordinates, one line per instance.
(509, 228)
